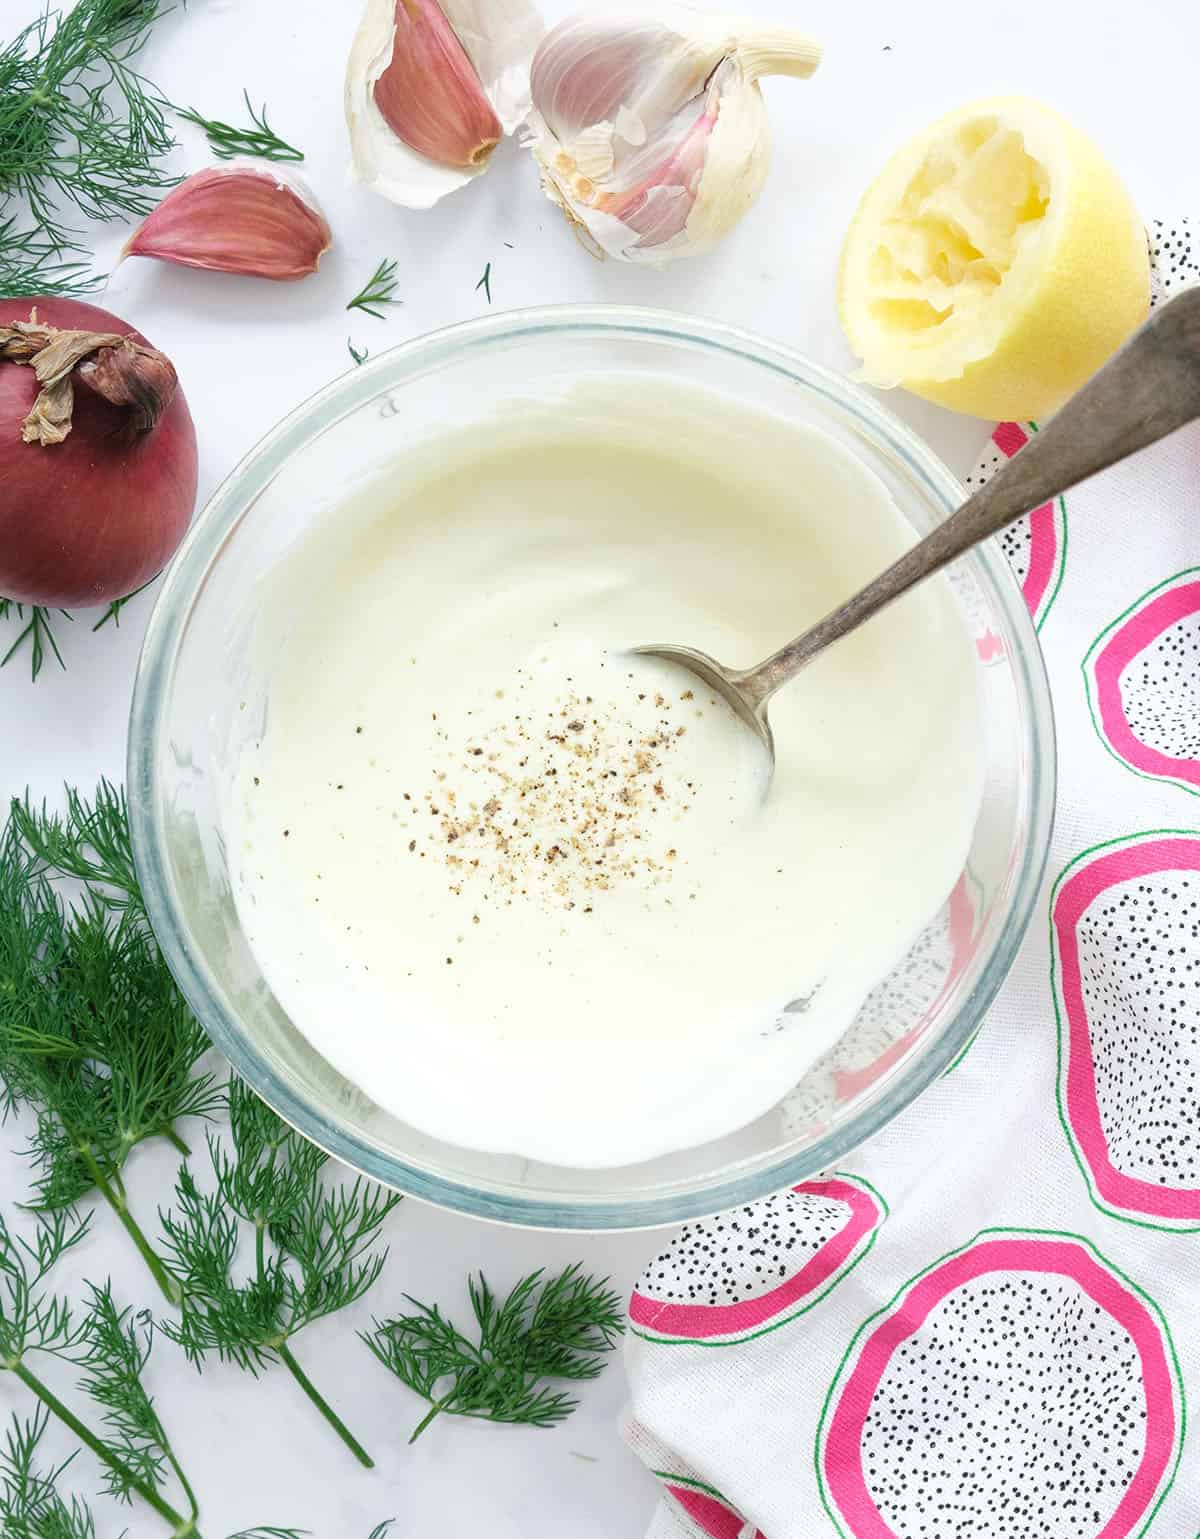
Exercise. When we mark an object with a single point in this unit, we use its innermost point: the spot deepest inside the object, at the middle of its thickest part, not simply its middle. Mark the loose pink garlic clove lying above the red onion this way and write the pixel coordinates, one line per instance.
(245, 218)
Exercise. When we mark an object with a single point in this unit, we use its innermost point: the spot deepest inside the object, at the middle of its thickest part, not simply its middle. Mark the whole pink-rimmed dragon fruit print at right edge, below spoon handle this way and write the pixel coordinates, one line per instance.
(1144, 684)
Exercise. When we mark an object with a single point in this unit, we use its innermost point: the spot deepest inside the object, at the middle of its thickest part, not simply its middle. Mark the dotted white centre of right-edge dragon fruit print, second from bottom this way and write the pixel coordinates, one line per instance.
(1139, 950)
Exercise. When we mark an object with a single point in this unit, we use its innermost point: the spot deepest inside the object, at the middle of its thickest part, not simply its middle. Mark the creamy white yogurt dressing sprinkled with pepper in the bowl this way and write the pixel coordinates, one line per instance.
(524, 889)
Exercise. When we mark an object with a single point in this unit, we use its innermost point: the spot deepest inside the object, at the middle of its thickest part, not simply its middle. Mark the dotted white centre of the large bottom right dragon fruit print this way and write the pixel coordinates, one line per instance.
(1018, 1412)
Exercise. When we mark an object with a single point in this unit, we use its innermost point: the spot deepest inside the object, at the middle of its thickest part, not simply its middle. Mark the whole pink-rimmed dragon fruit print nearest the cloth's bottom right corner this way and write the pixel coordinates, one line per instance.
(1018, 1387)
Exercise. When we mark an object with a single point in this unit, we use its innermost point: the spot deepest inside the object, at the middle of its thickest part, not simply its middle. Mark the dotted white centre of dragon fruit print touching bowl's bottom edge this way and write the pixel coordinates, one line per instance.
(747, 1252)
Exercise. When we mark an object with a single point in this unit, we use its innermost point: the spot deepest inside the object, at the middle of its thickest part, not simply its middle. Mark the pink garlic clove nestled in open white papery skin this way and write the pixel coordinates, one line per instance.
(432, 96)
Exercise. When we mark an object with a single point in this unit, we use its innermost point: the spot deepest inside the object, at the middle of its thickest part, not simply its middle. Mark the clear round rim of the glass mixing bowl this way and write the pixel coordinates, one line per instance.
(161, 650)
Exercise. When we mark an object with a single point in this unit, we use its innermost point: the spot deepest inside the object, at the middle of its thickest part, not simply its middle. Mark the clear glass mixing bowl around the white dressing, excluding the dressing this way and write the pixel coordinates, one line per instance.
(190, 695)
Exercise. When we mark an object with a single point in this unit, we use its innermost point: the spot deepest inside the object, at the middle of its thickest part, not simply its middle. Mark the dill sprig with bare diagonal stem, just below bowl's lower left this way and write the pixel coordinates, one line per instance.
(321, 1257)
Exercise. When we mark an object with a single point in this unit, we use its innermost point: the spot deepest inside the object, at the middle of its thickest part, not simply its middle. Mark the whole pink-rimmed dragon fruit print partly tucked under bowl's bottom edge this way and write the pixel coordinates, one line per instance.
(755, 1269)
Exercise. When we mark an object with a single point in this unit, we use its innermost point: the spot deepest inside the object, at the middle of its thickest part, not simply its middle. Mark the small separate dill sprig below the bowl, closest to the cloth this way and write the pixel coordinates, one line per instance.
(547, 1329)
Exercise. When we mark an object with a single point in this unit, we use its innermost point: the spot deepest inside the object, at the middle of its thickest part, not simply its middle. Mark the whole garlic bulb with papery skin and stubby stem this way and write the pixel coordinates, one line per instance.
(652, 132)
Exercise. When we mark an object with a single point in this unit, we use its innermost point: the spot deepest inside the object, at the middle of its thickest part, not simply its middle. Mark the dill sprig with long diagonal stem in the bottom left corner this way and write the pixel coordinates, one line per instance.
(110, 1349)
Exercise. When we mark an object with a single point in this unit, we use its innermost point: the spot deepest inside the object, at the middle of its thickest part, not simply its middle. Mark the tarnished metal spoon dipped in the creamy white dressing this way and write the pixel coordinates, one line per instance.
(1145, 392)
